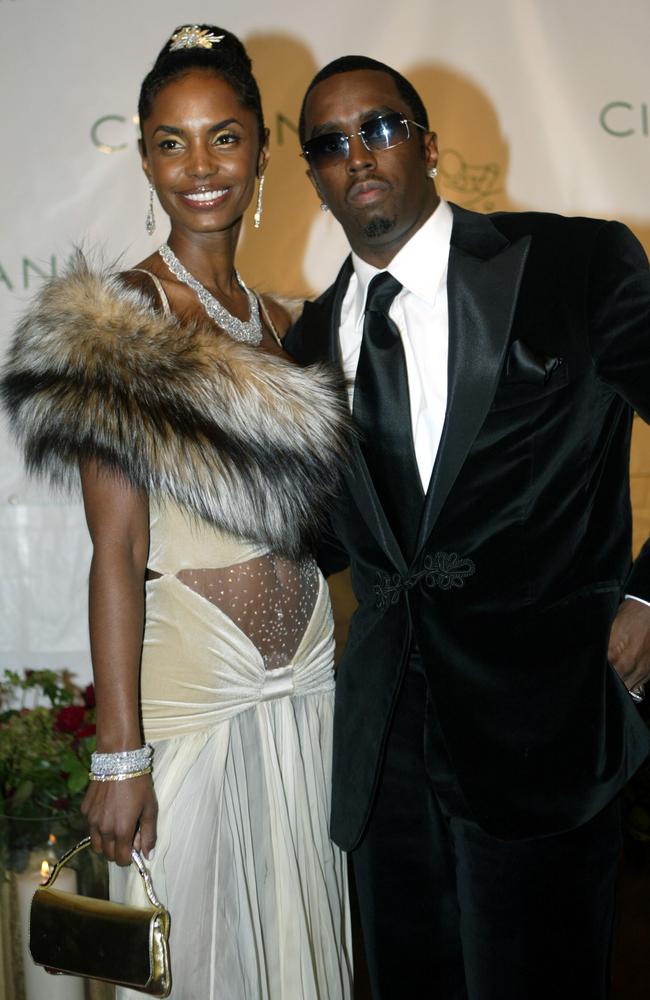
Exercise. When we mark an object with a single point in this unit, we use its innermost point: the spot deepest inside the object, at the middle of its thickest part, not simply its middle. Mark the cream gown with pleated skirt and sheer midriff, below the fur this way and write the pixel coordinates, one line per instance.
(237, 699)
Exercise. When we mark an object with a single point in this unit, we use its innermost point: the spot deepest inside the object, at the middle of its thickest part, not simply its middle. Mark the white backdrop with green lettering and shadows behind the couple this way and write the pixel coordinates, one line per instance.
(539, 104)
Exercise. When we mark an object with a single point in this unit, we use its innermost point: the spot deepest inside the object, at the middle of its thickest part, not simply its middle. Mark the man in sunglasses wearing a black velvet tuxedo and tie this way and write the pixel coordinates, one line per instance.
(481, 736)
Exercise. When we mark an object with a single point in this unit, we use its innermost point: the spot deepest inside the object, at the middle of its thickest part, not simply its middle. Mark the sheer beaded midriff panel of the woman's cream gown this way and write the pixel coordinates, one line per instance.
(270, 599)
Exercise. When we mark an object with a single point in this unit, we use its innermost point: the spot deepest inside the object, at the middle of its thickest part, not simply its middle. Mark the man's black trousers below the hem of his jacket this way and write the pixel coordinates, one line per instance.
(451, 913)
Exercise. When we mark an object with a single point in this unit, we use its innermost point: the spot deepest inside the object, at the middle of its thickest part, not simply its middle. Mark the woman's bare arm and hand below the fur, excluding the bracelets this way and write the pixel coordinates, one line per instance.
(120, 814)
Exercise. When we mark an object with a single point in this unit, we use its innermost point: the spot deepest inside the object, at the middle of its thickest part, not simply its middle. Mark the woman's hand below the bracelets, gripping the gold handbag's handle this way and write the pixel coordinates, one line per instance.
(121, 815)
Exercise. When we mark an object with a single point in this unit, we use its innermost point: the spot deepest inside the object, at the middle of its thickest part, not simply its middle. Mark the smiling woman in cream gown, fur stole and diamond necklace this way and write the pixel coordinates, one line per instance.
(205, 460)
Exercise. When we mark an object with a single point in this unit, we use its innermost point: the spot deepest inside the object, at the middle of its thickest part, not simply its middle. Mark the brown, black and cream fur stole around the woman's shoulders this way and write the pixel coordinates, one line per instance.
(247, 441)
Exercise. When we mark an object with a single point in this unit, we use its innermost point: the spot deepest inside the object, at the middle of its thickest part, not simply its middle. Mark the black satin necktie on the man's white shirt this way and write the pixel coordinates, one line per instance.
(383, 414)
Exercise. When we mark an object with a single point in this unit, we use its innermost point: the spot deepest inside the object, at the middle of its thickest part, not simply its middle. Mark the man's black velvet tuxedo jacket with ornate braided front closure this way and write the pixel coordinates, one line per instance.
(524, 546)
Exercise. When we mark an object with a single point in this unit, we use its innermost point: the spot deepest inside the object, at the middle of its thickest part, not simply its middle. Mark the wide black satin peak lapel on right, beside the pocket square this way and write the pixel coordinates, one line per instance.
(482, 297)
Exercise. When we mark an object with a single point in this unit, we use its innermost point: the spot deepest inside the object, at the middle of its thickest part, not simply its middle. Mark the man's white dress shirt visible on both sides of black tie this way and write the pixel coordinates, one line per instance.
(421, 315)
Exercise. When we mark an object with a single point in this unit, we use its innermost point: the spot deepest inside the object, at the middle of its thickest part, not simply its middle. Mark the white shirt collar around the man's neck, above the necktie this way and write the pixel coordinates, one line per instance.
(421, 264)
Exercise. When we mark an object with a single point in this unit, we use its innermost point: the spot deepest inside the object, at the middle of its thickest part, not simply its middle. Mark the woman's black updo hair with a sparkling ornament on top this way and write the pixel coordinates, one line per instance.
(204, 46)
